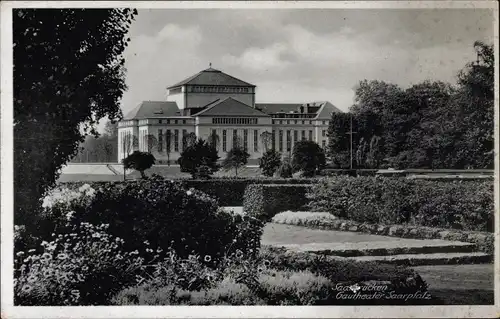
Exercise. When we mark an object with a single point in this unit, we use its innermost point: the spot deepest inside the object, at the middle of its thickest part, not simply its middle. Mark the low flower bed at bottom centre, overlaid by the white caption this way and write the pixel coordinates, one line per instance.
(279, 277)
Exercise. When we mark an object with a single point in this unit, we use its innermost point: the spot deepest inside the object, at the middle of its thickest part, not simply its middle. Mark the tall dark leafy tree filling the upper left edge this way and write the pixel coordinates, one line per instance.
(68, 74)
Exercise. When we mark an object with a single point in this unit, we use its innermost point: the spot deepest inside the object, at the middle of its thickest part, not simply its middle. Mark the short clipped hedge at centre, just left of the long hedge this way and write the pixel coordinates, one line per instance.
(264, 201)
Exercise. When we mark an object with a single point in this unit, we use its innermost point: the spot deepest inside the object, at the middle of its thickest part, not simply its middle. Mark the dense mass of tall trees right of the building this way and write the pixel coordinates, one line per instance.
(428, 125)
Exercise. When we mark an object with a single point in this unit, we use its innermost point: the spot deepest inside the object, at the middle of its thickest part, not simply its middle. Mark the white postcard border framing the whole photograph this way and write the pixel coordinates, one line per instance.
(6, 93)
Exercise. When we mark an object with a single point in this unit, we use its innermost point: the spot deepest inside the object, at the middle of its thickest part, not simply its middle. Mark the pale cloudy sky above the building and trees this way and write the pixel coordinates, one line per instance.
(300, 55)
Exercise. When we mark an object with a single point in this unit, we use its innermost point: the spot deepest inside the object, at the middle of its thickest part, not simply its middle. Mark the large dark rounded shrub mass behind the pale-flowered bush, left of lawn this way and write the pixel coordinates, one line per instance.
(161, 213)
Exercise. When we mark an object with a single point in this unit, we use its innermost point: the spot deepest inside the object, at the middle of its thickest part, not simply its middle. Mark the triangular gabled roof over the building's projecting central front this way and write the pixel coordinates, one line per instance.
(230, 107)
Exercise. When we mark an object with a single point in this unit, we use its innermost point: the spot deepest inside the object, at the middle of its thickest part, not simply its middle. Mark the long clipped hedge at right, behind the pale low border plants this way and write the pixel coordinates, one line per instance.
(459, 204)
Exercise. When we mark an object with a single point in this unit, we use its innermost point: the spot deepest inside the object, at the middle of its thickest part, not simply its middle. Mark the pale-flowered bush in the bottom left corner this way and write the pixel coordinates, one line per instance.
(86, 266)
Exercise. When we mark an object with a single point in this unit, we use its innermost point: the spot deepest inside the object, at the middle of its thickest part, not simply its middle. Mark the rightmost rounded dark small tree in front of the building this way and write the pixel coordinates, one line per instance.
(307, 157)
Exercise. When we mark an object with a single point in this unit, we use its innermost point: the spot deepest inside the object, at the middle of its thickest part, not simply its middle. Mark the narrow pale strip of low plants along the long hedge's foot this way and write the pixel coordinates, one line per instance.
(484, 241)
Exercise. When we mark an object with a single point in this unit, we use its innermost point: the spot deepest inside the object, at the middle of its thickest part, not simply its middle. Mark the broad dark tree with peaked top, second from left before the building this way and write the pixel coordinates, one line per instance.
(198, 155)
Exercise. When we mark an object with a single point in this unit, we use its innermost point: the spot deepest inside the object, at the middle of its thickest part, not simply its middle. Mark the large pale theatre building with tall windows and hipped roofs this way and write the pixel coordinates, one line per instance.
(217, 107)
